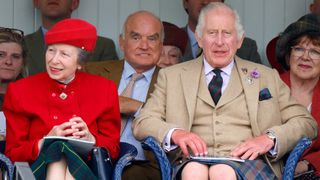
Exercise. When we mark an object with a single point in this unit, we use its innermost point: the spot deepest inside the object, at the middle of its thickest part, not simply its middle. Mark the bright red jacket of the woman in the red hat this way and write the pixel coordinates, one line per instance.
(34, 105)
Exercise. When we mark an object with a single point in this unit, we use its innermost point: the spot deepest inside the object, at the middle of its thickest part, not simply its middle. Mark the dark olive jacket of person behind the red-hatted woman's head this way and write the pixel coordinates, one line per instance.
(105, 49)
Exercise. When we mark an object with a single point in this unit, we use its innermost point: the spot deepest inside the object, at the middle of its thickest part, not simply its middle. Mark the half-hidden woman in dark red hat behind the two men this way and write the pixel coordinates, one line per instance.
(174, 45)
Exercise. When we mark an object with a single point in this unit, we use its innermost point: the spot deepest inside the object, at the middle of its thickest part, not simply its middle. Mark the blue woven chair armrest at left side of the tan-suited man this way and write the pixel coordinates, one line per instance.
(149, 143)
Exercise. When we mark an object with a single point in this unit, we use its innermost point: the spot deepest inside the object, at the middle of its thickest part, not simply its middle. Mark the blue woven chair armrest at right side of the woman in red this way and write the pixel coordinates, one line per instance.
(127, 153)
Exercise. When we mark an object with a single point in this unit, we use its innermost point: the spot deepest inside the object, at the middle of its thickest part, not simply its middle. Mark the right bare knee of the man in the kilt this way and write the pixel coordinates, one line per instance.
(222, 171)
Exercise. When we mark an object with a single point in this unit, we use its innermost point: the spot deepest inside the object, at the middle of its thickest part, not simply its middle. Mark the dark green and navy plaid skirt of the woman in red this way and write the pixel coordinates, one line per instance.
(53, 152)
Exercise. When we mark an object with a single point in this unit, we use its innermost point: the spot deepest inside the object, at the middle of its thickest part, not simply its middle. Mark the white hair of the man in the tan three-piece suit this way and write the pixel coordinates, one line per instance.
(213, 6)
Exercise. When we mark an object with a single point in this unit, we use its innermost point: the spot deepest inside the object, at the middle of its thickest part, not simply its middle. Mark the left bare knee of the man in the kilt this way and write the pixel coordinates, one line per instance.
(194, 170)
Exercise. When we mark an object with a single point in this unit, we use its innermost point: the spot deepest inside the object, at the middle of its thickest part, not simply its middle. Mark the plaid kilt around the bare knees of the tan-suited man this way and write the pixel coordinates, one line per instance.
(250, 169)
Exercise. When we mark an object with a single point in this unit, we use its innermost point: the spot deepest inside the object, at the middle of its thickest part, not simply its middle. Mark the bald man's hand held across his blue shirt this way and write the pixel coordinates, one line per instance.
(128, 105)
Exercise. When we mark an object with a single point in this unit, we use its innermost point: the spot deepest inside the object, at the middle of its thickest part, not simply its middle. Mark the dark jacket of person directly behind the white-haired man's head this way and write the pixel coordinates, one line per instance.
(247, 51)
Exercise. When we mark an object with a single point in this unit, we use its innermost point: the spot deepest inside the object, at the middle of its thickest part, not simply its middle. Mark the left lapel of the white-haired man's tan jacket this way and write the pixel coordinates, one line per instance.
(190, 79)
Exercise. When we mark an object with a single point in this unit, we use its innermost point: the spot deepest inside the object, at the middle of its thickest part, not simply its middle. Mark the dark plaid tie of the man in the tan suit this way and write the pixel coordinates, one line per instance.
(215, 86)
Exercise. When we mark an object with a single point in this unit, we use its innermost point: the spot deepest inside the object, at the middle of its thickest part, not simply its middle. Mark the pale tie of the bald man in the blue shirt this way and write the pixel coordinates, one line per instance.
(127, 92)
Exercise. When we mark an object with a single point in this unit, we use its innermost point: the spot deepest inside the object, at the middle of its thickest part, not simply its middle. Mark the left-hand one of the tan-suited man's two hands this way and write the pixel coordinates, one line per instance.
(187, 140)
